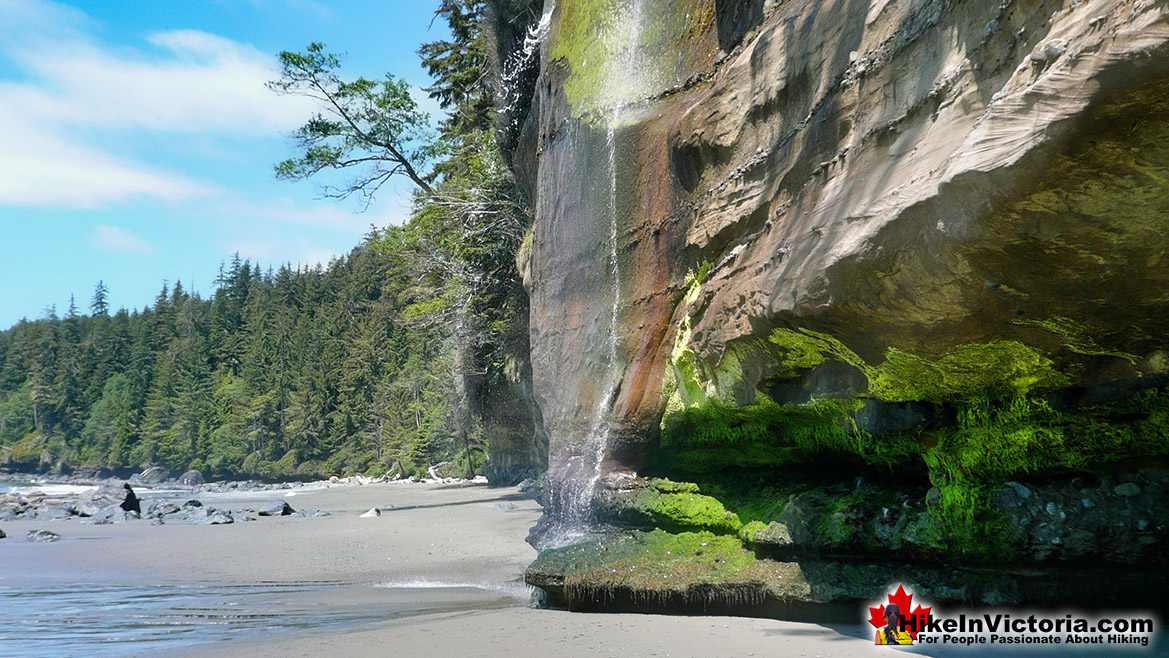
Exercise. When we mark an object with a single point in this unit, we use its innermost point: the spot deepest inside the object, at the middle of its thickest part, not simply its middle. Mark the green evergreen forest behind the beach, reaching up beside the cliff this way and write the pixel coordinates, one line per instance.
(376, 363)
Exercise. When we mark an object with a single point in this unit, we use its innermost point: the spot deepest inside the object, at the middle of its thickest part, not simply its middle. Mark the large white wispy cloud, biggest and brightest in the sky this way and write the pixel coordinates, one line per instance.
(65, 86)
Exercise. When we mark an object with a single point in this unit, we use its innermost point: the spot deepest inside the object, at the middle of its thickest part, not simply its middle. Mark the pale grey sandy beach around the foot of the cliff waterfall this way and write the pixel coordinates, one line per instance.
(439, 574)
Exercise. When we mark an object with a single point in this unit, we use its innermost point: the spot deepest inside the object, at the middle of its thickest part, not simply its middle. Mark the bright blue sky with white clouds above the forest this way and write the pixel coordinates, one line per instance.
(137, 142)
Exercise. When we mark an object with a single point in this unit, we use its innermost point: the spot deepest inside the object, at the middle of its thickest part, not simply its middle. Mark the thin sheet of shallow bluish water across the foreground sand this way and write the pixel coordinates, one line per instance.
(100, 620)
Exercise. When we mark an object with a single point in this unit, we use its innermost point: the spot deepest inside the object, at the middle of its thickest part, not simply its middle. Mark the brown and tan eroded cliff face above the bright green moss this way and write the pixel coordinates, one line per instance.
(918, 176)
